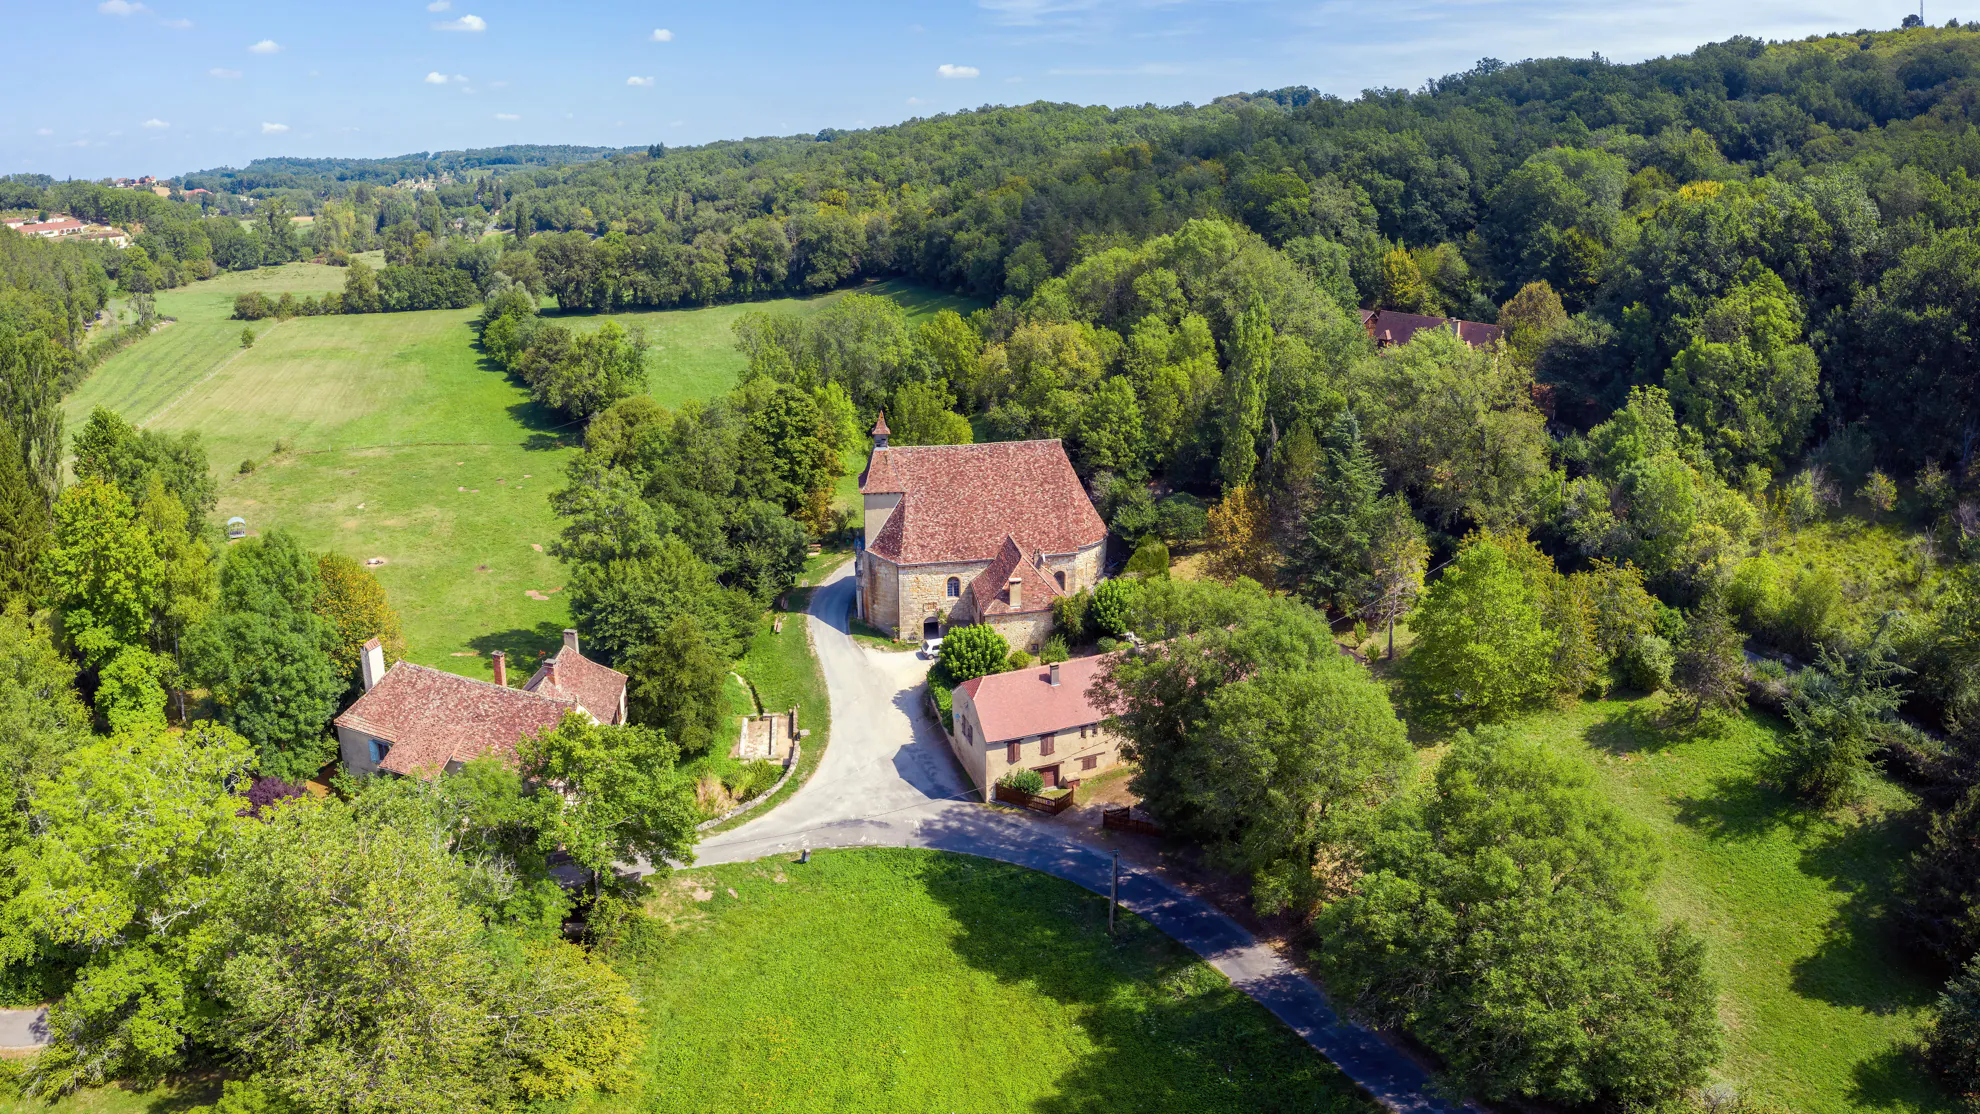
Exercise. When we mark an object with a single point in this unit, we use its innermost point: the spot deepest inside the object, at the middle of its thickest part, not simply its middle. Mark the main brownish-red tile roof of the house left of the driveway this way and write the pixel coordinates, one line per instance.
(433, 717)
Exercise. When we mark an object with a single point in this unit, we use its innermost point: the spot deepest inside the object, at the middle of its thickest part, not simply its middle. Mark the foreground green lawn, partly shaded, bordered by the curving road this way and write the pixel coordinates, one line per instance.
(924, 982)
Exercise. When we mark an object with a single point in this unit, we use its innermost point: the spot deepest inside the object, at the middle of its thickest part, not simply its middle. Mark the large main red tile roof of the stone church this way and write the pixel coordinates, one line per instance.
(961, 502)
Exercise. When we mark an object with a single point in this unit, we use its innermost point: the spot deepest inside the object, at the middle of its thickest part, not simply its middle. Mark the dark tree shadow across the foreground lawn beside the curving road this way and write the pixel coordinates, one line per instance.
(1167, 1032)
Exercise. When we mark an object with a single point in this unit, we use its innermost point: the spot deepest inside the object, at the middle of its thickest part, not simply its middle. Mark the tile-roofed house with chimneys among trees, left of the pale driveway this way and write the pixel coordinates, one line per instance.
(417, 721)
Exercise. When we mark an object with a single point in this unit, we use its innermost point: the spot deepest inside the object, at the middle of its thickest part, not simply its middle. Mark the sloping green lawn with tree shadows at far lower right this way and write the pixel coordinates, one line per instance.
(1817, 996)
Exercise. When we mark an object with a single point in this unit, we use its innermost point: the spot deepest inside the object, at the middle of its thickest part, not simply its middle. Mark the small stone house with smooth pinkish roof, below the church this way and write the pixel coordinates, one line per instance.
(1033, 719)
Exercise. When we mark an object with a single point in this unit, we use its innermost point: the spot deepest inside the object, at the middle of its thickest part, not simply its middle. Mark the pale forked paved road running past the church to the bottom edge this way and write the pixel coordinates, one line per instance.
(888, 779)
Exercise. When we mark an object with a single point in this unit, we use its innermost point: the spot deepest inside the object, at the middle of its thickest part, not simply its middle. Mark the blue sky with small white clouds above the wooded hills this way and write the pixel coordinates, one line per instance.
(124, 88)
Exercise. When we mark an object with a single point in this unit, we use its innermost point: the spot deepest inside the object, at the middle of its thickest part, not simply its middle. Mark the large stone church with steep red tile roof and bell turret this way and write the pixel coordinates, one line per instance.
(961, 535)
